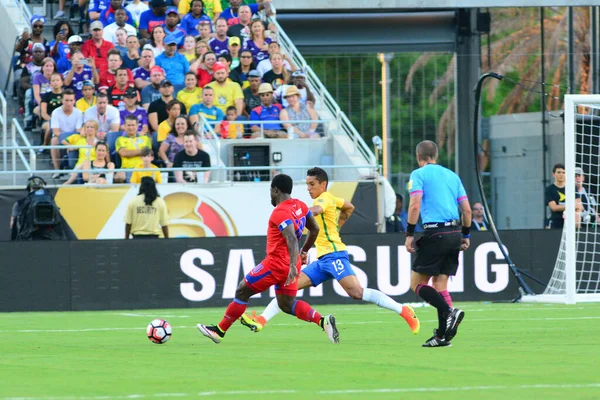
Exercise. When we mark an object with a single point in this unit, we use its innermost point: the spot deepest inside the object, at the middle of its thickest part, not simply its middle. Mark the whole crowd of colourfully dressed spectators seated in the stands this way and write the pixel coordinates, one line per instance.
(138, 90)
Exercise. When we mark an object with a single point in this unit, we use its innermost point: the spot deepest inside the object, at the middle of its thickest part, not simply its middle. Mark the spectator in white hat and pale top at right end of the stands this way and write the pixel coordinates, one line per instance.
(296, 111)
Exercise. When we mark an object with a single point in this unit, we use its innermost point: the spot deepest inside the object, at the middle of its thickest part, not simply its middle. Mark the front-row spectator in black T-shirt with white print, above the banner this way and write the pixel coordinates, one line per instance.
(193, 158)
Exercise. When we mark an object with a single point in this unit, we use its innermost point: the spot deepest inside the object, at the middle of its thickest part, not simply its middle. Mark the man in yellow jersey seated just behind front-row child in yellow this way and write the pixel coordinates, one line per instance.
(129, 148)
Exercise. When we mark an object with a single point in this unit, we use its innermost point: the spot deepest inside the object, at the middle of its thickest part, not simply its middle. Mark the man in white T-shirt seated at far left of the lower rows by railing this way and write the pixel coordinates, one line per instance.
(65, 119)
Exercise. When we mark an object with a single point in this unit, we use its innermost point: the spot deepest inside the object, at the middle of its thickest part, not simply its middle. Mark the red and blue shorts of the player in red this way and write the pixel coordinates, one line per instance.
(267, 274)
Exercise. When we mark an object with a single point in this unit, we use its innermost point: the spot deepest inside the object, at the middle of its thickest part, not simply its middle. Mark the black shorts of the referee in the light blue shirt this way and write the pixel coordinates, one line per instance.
(437, 251)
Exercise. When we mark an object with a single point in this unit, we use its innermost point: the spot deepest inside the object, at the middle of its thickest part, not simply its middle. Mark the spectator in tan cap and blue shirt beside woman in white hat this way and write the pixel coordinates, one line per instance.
(267, 111)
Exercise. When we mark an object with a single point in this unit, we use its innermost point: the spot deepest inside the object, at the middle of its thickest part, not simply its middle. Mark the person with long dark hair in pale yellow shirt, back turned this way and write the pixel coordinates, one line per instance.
(147, 213)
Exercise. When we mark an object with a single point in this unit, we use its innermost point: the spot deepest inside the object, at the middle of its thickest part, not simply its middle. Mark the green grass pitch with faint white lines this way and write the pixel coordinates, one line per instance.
(502, 351)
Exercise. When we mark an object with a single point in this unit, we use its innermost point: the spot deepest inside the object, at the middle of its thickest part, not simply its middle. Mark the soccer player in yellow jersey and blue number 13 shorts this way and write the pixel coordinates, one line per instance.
(332, 258)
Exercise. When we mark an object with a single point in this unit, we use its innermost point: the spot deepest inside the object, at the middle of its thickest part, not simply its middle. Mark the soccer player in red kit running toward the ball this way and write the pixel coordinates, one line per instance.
(281, 265)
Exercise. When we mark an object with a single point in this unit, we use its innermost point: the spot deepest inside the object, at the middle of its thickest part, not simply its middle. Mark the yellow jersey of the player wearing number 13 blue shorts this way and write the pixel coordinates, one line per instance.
(329, 240)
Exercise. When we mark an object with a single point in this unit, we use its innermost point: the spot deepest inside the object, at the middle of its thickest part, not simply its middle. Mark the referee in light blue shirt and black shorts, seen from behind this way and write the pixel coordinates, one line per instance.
(437, 193)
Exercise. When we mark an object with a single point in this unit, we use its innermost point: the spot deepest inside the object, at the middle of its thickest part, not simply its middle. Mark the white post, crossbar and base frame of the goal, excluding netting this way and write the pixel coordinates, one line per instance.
(568, 246)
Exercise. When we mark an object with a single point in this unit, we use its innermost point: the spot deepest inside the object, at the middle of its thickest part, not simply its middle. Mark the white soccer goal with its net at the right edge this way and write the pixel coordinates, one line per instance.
(576, 275)
